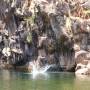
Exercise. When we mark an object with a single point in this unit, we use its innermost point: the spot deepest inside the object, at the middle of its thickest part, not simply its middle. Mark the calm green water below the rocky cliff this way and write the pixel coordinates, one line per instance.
(10, 80)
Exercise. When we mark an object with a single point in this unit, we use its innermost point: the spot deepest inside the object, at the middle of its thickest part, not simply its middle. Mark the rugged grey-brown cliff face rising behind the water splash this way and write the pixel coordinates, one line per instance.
(47, 32)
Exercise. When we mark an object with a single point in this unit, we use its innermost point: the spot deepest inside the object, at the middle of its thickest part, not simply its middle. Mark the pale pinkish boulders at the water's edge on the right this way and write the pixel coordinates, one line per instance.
(83, 63)
